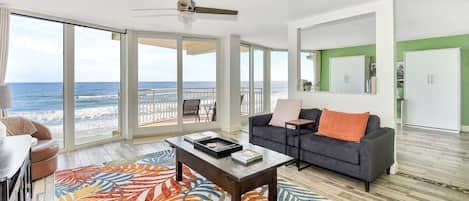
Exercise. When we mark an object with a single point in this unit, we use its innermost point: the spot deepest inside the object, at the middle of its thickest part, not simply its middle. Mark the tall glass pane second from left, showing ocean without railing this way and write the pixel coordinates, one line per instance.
(97, 85)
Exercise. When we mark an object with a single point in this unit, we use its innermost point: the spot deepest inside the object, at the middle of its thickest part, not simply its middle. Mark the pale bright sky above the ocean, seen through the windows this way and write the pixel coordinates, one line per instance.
(36, 55)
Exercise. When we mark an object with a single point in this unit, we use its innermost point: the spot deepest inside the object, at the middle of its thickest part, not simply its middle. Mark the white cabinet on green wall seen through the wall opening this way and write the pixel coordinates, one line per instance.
(348, 74)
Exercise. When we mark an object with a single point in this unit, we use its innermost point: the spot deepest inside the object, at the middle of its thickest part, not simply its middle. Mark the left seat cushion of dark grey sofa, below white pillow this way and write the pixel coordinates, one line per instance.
(275, 134)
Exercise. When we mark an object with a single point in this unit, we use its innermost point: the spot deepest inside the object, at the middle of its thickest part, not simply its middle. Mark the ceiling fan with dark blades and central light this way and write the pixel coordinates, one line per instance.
(188, 9)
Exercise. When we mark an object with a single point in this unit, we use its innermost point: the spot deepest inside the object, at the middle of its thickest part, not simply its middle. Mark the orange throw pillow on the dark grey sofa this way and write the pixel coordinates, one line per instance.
(343, 126)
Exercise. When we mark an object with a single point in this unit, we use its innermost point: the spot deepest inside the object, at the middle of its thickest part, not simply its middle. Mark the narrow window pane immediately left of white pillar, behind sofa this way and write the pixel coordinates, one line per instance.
(278, 76)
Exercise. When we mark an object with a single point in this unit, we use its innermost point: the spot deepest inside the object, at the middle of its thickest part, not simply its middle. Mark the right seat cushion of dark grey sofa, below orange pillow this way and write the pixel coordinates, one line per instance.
(332, 148)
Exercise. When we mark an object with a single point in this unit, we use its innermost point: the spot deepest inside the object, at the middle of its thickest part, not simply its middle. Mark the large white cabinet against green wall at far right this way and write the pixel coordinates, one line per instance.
(433, 89)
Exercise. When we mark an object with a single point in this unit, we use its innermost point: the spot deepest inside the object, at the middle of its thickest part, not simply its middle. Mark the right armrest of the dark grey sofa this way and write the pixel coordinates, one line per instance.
(376, 153)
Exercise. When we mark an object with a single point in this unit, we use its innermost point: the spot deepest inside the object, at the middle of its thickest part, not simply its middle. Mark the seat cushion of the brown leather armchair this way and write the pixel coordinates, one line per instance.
(44, 150)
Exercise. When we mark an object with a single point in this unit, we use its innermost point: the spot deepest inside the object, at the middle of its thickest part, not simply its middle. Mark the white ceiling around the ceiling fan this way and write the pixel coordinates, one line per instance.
(260, 21)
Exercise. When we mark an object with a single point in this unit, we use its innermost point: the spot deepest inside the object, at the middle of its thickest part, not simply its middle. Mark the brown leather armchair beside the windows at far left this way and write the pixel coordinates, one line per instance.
(44, 153)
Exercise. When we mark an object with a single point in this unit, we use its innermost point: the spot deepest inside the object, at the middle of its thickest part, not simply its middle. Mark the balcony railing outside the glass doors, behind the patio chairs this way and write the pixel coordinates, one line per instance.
(160, 105)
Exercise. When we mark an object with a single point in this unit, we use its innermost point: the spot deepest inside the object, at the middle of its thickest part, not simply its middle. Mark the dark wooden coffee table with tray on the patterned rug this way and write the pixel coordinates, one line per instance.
(230, 175)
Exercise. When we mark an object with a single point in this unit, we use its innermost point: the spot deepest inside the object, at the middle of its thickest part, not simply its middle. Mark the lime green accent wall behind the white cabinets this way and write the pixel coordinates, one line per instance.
(459, 41)
